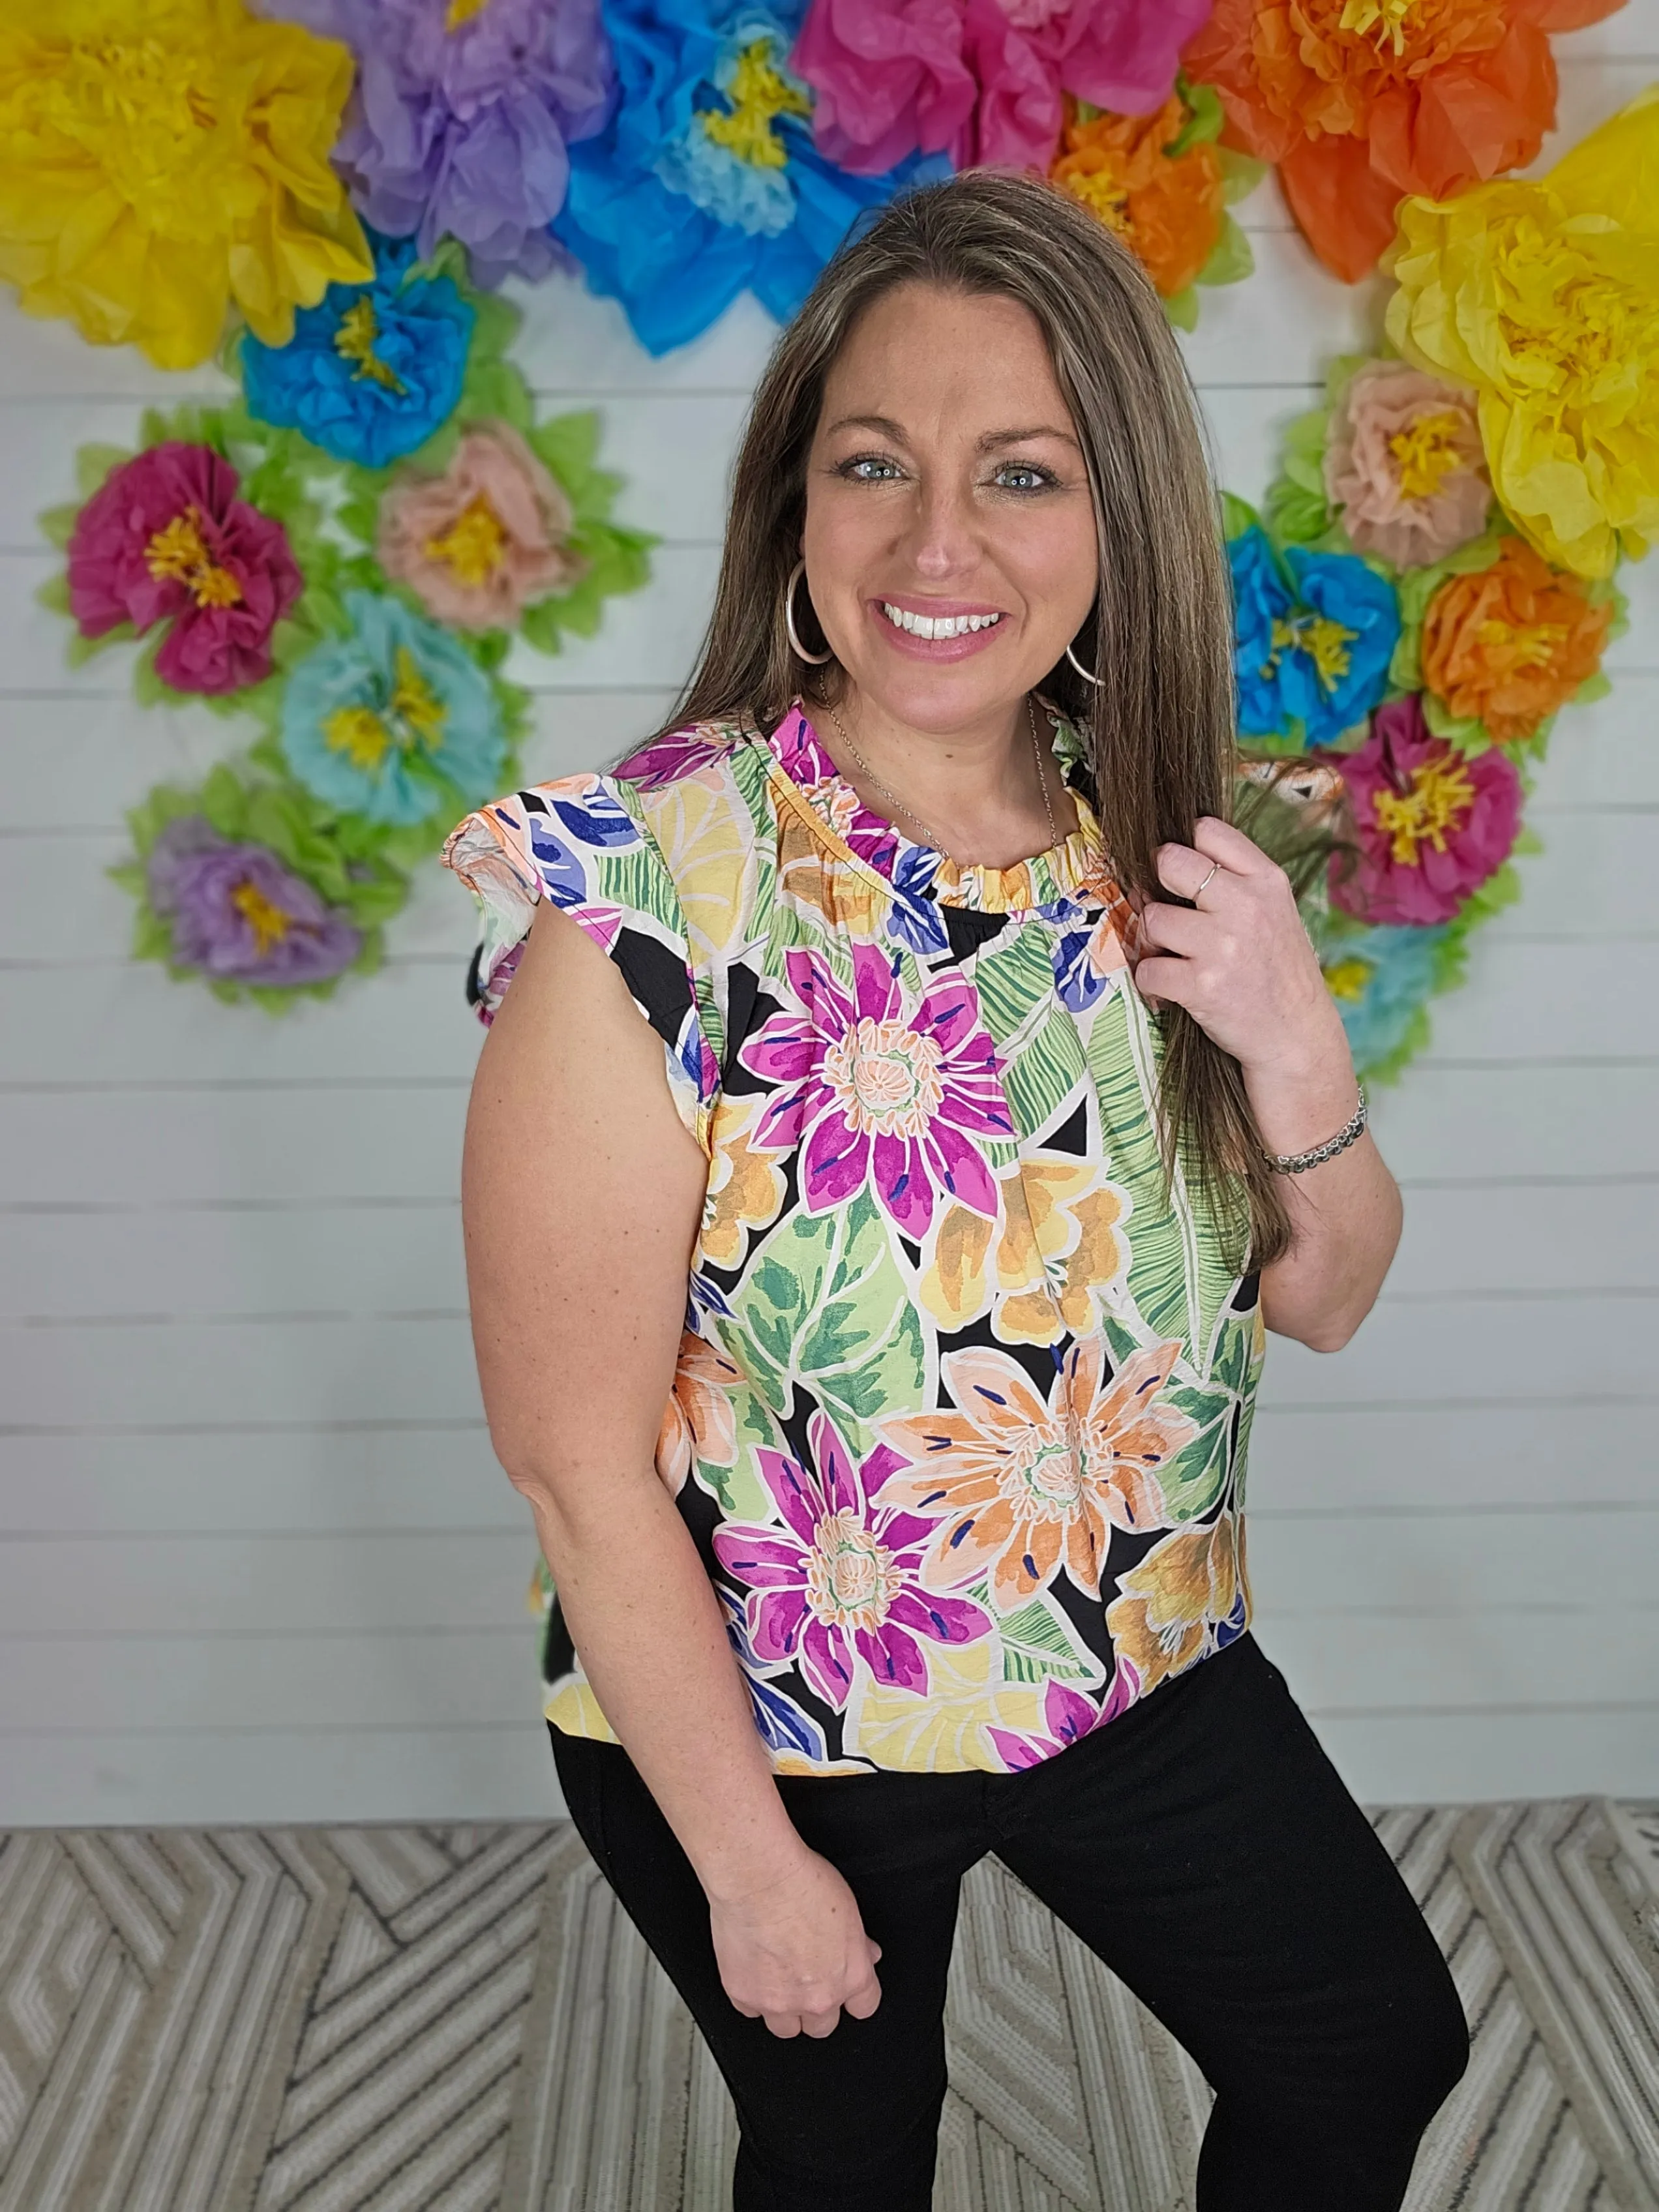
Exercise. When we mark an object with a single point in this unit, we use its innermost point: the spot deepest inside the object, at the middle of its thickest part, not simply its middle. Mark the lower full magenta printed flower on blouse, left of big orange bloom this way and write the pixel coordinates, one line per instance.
(842, 1580)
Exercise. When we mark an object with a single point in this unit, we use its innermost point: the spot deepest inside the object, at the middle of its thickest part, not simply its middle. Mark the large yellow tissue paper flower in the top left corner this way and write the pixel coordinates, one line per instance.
(165, 158)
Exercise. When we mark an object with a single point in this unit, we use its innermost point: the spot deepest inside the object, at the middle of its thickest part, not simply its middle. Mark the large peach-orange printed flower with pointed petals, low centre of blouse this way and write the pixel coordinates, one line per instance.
(1021, 1483)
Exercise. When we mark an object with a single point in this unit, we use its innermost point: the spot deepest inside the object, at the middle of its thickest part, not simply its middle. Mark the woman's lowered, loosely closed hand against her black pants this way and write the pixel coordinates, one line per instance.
(793, 1952)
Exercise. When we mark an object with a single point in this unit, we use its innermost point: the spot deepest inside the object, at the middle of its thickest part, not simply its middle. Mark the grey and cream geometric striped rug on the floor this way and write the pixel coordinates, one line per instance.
(457, 2021)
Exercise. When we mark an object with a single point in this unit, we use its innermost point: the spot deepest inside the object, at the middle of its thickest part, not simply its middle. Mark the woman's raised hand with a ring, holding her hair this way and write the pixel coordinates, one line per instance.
(1240, 959)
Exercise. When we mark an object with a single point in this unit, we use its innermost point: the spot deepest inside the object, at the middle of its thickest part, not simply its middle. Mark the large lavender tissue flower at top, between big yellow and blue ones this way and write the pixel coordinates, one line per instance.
(463, 118)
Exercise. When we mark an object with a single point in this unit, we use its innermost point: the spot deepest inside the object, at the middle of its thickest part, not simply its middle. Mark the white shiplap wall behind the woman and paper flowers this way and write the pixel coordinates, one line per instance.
(255, 1558)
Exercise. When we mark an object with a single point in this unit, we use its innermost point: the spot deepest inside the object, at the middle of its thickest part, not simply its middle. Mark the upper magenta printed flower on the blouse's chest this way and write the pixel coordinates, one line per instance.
(884, 1083)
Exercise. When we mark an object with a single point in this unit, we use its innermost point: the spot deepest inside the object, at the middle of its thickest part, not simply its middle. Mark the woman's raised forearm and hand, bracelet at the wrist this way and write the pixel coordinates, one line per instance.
(1244, 970)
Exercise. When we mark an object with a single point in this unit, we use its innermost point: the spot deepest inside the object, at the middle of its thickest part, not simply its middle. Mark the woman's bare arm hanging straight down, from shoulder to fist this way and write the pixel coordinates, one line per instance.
(581, 1198)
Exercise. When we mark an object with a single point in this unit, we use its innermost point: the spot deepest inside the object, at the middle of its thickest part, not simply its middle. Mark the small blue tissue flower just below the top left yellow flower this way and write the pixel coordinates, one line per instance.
(373, 371)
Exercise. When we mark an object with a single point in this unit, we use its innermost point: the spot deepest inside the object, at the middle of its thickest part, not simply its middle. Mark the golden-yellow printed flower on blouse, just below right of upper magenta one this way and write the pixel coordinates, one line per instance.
(1056, 1213)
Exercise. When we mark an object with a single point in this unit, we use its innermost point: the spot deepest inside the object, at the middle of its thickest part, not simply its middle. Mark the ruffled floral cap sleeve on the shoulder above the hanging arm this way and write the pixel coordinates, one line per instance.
(583, 846)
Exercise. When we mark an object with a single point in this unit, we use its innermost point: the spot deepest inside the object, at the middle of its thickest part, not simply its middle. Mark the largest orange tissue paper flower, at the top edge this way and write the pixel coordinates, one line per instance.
(1364, 101)
